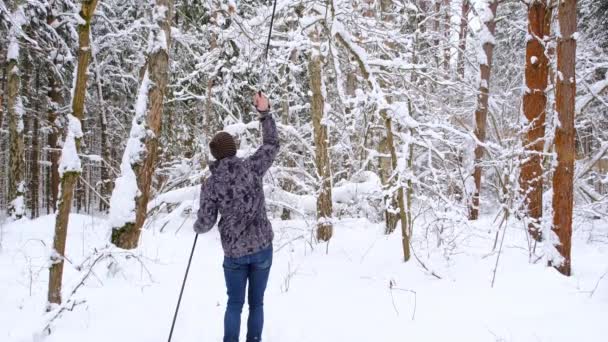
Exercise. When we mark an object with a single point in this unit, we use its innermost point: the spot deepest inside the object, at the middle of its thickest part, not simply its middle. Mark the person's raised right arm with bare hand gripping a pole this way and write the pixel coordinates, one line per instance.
(263, 158)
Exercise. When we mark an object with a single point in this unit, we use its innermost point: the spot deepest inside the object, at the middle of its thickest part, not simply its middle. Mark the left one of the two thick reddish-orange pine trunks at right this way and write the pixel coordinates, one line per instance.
(534, 106)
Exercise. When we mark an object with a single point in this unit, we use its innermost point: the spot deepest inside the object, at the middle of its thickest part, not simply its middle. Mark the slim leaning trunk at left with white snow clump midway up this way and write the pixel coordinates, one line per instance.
(69, 166)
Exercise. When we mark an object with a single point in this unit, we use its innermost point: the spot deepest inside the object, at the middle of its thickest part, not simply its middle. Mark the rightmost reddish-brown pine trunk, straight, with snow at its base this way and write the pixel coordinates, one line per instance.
(564, 134)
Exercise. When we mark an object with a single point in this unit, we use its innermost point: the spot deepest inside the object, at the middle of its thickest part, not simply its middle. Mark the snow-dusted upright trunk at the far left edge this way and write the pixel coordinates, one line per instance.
(15, 112)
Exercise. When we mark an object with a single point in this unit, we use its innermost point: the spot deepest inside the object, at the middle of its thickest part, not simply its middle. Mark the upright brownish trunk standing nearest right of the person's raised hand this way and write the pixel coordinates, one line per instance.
(324, 200)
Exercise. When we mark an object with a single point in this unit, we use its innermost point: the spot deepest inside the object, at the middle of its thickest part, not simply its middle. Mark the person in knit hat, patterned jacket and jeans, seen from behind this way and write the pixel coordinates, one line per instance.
(235, 190)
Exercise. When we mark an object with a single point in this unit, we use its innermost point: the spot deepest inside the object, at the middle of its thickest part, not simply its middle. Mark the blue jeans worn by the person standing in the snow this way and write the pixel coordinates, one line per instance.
(254, 268)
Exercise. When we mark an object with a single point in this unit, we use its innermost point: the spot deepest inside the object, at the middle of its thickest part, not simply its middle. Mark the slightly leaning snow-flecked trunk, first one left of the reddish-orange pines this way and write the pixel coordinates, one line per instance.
(487, 41)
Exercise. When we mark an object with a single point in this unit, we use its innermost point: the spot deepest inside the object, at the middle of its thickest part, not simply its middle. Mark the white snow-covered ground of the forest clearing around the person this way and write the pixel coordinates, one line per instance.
(355, 289)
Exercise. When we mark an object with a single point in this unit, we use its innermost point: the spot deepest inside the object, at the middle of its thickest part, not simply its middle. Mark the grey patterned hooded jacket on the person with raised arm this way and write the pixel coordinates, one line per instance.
(235, 190)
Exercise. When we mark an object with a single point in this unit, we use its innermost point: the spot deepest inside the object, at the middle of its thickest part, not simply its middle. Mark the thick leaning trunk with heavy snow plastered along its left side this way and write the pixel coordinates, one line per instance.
(128, 205)
